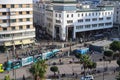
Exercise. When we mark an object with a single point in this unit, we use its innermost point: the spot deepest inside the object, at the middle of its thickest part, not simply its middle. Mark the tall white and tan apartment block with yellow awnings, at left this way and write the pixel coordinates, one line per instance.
(16, 22)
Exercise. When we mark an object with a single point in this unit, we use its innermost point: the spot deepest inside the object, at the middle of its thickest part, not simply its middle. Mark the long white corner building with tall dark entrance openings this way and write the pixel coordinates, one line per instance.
(67, 19)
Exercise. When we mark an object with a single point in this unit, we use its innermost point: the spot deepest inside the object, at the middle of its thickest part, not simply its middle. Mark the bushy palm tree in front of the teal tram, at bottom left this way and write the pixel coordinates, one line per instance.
(38, 70)
